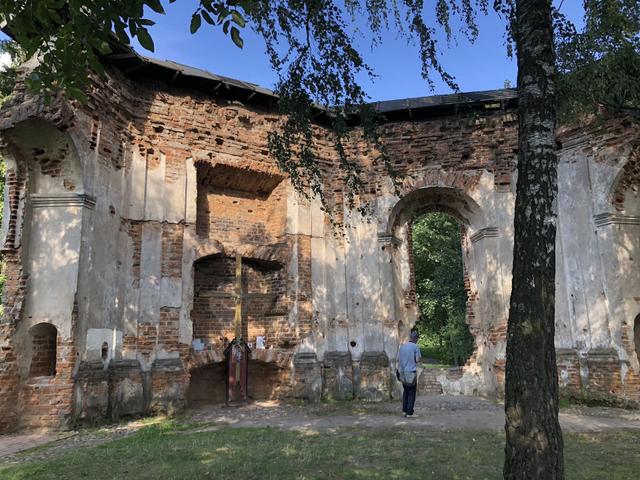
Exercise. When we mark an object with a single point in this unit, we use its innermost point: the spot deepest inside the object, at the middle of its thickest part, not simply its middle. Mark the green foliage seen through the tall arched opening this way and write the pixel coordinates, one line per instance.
(437, 257)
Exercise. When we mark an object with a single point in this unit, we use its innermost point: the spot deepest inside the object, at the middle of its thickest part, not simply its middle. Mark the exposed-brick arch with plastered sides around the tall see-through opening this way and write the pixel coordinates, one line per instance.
(451, 193)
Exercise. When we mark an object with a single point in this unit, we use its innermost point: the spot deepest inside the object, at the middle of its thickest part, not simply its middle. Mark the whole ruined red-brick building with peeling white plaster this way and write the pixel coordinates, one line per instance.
(123, 217)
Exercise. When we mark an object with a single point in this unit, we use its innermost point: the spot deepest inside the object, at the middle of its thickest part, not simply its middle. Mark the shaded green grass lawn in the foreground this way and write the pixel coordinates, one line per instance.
(172, 451)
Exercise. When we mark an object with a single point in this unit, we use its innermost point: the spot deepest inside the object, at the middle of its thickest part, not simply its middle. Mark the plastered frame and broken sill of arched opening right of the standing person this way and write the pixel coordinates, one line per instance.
(485, 265)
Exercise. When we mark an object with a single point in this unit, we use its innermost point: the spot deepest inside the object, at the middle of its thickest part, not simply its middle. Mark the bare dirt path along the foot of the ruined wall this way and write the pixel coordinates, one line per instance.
(436, 412)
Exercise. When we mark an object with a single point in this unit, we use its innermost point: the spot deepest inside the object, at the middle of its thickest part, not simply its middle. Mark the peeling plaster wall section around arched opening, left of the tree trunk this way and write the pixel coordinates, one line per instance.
(362, 302)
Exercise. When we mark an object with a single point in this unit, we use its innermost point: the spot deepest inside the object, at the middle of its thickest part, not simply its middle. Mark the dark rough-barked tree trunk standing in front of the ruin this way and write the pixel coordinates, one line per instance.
(533, 436)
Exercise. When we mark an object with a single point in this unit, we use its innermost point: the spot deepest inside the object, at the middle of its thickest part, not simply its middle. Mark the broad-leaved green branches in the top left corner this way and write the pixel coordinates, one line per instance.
(70, 35)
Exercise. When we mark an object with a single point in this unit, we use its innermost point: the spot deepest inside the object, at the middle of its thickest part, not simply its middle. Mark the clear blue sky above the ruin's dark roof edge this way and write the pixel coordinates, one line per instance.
(481, 66)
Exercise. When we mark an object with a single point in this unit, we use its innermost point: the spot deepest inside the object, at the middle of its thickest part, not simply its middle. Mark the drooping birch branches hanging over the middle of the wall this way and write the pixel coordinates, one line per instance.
(311, 48)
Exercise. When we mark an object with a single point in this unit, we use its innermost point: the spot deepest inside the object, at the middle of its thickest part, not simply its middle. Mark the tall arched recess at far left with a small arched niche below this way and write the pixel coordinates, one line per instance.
(42, 241)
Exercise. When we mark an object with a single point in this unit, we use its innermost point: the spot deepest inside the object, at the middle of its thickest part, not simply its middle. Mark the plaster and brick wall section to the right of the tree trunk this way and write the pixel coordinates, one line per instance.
(598, 279)
